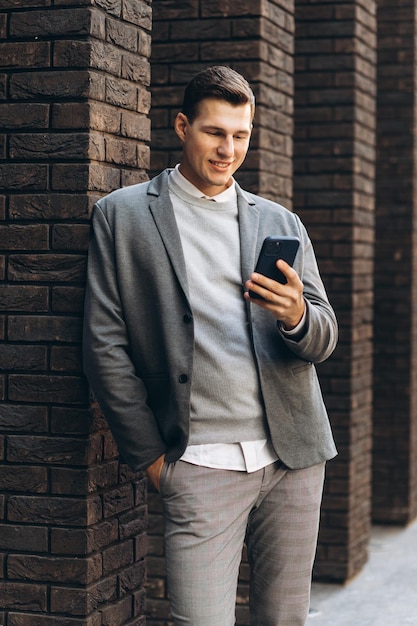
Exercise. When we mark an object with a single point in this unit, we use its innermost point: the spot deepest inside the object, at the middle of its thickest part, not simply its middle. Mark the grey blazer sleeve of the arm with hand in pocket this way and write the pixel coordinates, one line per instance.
(107, 363)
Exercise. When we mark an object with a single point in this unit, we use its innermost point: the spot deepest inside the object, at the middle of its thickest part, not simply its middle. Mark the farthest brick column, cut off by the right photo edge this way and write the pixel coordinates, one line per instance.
(395, 385)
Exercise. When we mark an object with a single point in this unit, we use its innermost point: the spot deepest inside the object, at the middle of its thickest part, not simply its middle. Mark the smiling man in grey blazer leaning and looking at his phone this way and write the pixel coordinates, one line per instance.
(212, 391)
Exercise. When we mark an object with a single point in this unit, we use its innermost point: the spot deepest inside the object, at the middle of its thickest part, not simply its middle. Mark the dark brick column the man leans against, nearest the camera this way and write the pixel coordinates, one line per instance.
(73, 112)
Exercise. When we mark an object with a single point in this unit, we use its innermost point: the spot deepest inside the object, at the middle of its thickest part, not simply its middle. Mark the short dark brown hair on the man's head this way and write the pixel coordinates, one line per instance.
(220, 82)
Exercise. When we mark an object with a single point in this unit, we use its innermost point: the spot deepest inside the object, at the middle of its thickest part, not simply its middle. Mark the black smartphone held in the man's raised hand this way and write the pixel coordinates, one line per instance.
(274, 248)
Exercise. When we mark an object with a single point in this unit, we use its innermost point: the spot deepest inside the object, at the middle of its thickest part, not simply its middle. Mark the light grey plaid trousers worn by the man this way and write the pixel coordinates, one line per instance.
(210, 513)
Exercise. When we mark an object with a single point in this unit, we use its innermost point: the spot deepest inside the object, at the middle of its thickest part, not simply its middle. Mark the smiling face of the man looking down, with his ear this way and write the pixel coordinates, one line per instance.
(214, 144)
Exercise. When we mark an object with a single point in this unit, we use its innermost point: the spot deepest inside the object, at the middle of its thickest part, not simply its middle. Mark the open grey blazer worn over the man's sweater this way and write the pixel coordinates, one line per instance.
(138, 329)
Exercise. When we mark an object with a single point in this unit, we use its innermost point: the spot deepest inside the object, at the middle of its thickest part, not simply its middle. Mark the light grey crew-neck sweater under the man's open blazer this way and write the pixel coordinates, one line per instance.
(225, 401)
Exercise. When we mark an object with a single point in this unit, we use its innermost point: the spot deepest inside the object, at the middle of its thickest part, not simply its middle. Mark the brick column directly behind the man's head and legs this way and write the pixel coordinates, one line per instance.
(256, 38)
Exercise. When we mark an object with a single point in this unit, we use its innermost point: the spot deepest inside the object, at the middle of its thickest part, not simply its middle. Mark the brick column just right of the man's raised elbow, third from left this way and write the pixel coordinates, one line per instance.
(334, 194)
